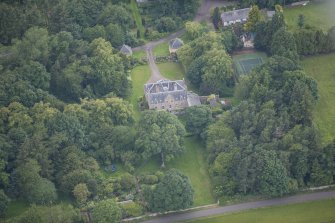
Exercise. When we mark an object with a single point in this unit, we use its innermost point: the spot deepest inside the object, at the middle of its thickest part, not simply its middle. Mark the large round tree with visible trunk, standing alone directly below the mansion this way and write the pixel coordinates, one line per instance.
(160, 132)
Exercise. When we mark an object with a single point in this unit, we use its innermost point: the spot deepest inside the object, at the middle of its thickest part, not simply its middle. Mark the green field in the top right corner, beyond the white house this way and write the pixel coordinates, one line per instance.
(319, 14)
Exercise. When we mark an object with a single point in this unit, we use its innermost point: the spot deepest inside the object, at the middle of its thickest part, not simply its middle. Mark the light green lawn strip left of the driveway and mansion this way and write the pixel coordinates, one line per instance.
(139, 76)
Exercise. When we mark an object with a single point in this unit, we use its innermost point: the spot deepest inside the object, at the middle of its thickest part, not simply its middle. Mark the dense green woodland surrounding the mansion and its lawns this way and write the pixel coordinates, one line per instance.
(65, 118)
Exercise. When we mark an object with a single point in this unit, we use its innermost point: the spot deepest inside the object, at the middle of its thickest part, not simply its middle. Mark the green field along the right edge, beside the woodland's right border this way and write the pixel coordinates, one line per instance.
(322, 69)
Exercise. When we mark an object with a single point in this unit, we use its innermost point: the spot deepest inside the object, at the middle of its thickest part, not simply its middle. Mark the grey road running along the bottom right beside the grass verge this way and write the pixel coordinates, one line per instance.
(242, 207)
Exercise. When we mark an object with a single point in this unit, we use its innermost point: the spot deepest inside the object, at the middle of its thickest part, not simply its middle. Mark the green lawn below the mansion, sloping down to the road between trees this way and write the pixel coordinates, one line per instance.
(193, 164)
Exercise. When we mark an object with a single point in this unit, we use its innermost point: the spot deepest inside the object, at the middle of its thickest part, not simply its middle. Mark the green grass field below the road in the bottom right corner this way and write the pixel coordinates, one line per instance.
(309, 212)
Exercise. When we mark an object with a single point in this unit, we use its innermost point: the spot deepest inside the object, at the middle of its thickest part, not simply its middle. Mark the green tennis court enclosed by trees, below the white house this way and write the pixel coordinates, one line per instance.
(243, 63)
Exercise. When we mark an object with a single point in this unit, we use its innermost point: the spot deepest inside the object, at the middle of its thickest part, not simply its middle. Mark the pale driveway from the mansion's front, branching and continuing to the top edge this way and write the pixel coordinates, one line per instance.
(203, 14)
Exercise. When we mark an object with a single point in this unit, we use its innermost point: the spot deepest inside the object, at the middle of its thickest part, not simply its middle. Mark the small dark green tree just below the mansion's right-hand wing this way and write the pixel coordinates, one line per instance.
(197, 119)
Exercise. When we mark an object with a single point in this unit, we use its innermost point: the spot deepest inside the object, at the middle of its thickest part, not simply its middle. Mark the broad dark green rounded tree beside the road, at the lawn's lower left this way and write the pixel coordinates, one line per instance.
(174, 192)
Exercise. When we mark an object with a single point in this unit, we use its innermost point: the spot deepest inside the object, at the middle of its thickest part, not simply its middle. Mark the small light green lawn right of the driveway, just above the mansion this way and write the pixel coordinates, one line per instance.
(171, 70)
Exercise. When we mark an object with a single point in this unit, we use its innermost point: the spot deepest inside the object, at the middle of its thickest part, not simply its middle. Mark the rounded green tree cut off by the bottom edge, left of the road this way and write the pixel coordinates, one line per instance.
(106, 211)
